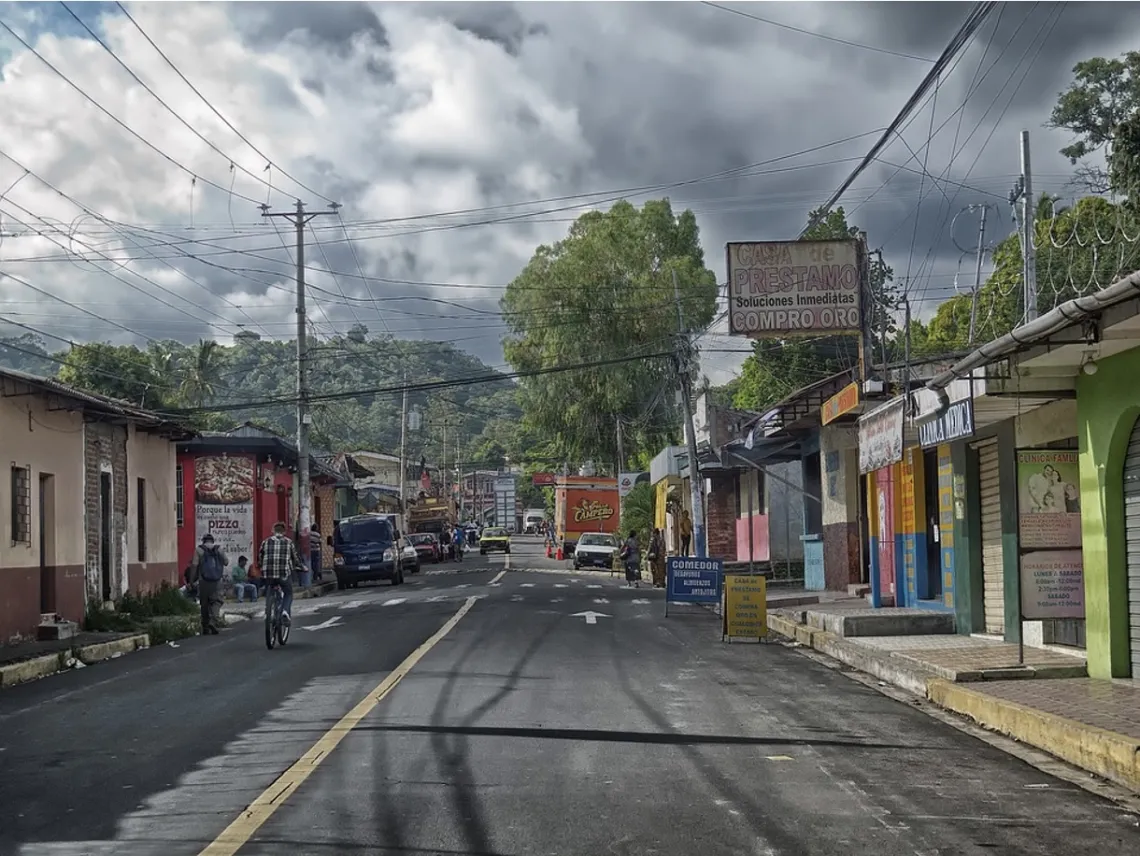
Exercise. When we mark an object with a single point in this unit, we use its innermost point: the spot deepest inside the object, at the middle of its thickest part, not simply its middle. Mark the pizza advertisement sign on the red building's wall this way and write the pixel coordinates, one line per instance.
(224, 490)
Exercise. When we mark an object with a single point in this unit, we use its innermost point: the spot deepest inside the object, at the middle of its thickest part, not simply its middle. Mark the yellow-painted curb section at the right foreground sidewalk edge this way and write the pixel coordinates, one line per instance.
(1105, 754)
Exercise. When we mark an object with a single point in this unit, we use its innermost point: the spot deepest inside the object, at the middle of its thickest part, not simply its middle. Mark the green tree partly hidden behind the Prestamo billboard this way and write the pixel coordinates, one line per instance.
(780, 366)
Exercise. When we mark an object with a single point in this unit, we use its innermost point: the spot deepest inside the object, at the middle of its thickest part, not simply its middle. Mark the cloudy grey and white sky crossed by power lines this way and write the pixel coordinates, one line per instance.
(453, 135)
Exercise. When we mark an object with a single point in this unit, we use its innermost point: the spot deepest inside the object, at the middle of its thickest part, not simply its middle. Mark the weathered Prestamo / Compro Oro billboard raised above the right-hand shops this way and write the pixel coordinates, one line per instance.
(800, 288)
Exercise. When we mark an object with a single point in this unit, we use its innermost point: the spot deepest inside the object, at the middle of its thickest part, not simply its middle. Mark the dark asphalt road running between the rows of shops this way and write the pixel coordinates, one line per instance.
(525, 730)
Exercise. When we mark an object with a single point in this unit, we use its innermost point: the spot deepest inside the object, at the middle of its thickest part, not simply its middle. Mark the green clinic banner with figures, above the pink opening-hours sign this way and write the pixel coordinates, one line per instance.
(1048, 500)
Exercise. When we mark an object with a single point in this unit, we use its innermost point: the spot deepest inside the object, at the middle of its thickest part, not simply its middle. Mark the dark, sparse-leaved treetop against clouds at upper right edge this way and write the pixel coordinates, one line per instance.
(1104, 94)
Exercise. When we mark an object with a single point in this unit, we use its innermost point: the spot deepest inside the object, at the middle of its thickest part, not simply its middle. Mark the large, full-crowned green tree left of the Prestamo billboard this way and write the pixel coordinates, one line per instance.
(606, 292)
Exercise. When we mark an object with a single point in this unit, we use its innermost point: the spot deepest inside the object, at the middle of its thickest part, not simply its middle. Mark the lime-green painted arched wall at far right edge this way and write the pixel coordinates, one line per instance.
(1108, 409)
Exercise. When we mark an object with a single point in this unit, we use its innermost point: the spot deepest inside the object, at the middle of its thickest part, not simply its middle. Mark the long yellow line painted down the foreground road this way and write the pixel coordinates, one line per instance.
(235, 836)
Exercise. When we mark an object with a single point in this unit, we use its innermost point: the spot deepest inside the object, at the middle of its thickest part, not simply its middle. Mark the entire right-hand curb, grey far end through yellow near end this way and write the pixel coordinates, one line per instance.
(1102, 753)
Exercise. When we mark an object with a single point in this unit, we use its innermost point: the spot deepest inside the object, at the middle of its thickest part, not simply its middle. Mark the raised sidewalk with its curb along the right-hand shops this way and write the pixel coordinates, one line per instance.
(1048, 704)
